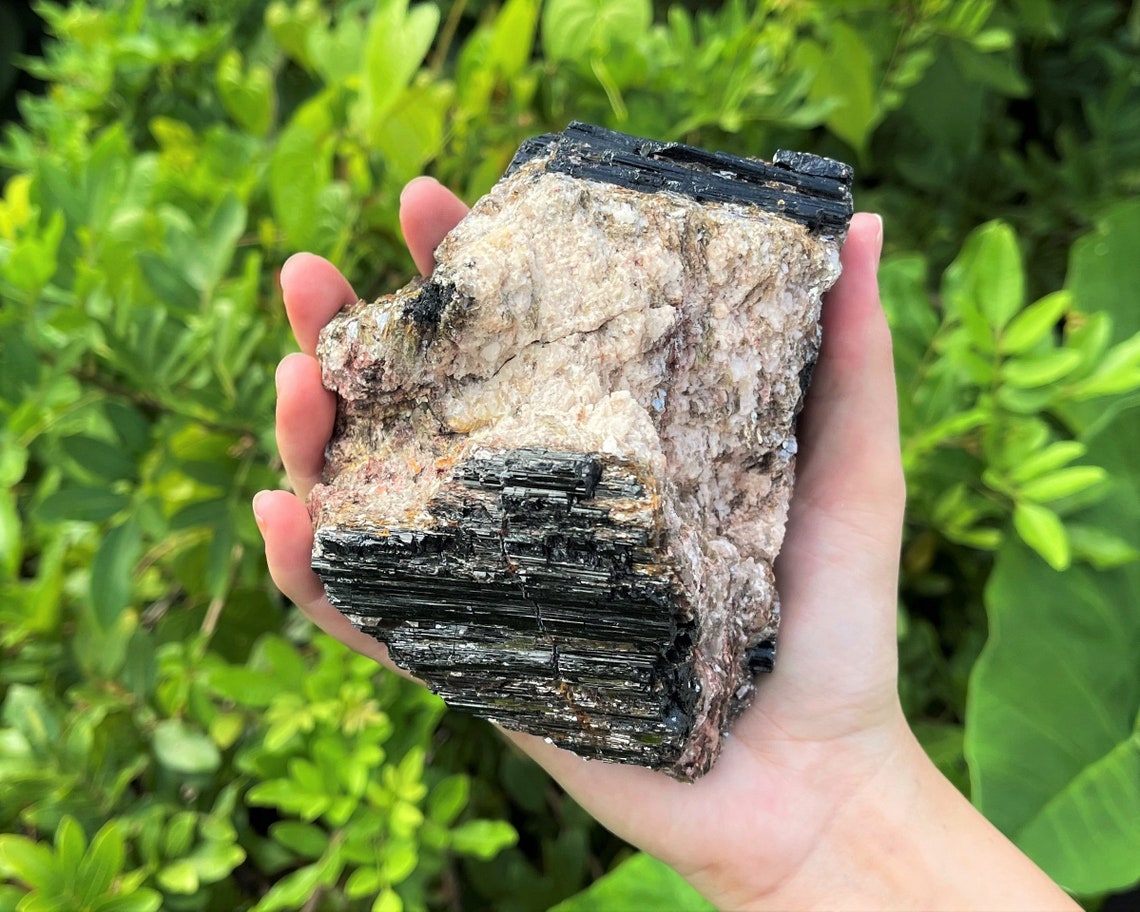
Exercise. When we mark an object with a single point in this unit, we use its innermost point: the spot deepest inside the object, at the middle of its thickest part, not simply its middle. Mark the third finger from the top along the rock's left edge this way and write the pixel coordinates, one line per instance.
(306, 412)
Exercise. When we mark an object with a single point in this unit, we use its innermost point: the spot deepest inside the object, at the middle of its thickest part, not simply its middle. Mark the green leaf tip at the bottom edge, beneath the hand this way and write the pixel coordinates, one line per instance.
(639, 884)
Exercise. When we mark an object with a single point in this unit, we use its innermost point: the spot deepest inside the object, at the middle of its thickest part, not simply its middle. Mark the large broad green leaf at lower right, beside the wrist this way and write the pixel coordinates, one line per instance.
(1051, 734)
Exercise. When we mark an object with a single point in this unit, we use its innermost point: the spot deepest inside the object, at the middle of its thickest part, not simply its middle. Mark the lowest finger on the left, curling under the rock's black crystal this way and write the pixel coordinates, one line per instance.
(286, 526)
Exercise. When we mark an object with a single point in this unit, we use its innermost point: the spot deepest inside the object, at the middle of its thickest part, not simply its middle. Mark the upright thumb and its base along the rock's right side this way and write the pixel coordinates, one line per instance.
(838, 569)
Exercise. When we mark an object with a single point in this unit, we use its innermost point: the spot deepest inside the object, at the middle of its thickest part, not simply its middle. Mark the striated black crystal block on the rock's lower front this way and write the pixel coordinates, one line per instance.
(533, 602)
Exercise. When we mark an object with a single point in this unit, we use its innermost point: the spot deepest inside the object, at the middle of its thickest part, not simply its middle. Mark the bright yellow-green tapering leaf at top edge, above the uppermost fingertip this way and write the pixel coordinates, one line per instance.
(398, 40)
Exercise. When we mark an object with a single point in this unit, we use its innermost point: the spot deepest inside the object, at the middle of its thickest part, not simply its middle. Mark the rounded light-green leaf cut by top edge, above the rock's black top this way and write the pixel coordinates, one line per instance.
(581, 30)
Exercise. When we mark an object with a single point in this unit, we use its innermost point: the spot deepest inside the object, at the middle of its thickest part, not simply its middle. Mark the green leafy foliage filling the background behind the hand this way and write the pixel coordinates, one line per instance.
(173, 736)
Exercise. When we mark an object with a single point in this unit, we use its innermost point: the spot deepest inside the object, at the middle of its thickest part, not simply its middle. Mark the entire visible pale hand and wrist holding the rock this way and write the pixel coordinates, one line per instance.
(823, 799)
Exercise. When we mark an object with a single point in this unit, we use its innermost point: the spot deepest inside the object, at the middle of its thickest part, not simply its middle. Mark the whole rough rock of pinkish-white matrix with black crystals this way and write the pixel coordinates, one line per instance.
(563, 465)
